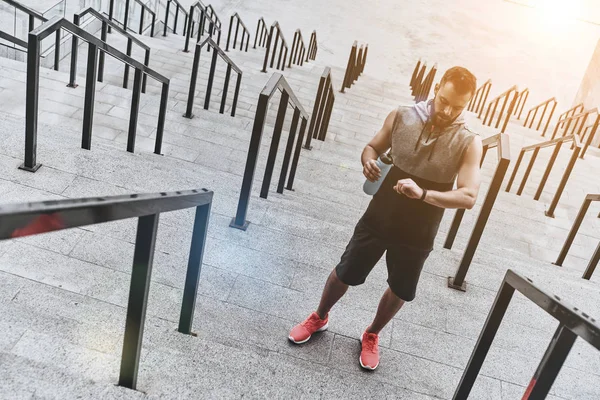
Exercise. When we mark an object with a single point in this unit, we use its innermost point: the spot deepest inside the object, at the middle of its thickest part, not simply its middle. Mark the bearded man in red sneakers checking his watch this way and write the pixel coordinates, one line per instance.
(430, 148)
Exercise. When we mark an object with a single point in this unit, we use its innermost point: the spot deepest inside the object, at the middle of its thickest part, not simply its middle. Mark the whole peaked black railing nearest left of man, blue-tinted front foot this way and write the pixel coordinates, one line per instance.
(276, 82)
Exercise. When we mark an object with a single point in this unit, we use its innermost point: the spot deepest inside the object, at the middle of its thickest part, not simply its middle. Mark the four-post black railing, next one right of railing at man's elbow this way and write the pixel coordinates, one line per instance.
(557, 143)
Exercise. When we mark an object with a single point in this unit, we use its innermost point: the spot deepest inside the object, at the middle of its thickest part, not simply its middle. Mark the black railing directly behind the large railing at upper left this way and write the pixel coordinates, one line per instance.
(106, 23)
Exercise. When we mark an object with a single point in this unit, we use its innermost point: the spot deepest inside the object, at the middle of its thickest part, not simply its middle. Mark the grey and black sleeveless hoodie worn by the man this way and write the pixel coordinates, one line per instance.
(429, 156)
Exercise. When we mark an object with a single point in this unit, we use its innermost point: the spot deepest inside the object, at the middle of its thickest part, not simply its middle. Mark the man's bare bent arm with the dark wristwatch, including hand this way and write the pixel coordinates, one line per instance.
(468, 181)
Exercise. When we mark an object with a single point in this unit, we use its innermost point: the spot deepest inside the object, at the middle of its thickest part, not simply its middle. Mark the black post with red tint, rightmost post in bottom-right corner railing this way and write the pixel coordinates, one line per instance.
(551, 363)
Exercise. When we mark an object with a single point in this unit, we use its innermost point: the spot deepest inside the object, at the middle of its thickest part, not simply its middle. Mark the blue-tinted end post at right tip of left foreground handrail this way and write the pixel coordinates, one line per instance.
(192, 278)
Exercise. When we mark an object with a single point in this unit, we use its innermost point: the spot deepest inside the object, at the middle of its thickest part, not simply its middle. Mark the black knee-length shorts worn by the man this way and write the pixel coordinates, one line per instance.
(404, 263)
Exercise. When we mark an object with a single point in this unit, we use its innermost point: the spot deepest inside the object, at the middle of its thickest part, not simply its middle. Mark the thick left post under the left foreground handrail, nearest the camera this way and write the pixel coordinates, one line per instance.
(138, 299)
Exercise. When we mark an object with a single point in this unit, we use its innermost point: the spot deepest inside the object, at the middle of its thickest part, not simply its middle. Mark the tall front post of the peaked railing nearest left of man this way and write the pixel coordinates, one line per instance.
(239, 221)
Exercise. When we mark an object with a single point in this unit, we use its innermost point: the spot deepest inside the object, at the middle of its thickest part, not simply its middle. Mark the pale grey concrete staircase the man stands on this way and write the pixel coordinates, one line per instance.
(63, 295)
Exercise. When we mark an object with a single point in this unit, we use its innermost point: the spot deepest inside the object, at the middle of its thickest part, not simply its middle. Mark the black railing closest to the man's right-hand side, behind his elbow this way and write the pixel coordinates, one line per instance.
(502, 144)
